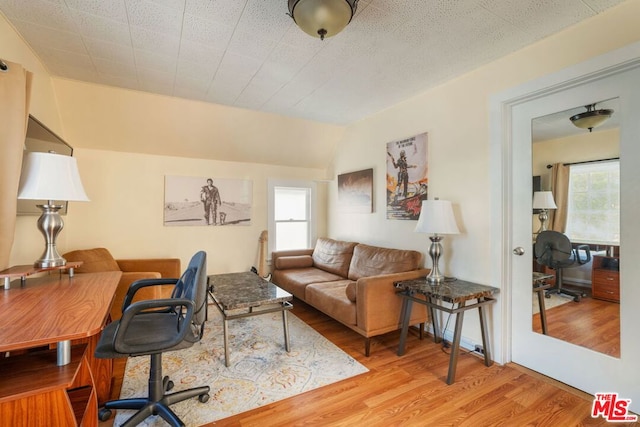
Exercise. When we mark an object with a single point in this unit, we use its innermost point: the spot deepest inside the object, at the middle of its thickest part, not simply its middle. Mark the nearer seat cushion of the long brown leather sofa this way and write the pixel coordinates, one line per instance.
(331, 298)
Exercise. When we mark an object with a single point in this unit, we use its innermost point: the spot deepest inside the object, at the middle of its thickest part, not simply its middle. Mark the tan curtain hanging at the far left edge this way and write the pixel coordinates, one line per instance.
(15, 89)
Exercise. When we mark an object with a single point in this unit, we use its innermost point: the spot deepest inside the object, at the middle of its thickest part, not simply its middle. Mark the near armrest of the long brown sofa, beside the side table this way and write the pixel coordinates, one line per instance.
(378, 307)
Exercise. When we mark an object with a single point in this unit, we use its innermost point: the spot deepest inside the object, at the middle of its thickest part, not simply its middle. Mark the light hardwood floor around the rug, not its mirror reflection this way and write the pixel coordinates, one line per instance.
(411, 390)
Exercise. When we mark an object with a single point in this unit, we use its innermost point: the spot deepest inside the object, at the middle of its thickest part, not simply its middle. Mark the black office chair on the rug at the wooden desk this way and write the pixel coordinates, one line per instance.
(152, 327)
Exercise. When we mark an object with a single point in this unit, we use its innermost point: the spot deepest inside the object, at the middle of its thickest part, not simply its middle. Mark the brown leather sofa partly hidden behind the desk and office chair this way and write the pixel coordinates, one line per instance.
(100, 259)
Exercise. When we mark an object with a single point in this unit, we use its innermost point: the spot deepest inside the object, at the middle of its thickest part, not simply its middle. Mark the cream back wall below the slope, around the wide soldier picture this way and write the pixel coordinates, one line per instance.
(125, 213)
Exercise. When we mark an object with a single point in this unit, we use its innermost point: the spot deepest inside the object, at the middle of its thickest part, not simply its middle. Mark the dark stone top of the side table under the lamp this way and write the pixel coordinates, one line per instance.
(454, 291)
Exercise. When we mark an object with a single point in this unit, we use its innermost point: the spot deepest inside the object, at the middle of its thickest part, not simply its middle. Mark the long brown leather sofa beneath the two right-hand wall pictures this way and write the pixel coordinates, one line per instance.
(351, 282)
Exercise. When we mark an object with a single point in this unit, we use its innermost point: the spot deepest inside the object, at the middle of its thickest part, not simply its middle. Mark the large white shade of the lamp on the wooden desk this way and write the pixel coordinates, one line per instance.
(48, 176)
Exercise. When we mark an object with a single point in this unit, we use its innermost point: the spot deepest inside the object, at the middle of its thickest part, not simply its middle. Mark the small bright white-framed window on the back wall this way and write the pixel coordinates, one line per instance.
(291, 218)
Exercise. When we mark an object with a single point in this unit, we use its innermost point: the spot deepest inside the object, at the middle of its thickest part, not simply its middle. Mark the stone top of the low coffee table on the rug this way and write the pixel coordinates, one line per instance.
(244, 290)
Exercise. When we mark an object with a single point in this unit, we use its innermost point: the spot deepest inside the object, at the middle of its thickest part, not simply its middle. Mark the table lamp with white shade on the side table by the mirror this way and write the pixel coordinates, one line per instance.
(436, 217)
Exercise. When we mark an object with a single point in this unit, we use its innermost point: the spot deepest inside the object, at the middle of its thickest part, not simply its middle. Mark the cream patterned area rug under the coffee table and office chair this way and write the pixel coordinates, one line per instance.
(261, 370)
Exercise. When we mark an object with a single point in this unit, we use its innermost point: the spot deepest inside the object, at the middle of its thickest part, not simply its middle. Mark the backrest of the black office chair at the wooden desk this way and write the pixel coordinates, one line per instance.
(192, 285)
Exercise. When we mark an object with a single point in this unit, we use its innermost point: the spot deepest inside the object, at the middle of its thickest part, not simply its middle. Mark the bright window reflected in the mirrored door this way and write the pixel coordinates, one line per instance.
(593, 214)
